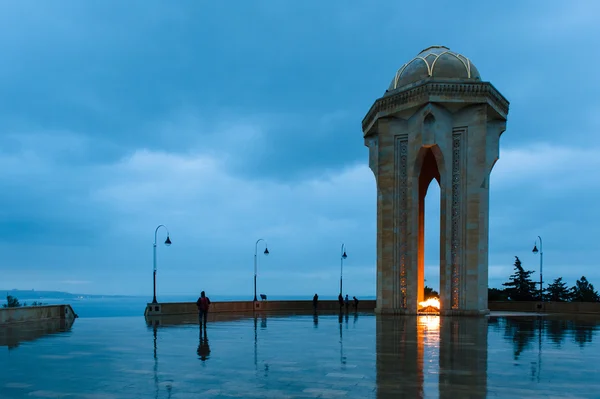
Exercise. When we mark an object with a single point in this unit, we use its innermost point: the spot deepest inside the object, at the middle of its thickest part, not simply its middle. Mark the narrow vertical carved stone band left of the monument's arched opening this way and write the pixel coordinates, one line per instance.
(401, 214)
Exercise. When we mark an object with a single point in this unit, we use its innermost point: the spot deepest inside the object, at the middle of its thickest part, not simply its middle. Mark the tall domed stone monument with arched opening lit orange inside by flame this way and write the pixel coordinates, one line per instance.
(437, 120)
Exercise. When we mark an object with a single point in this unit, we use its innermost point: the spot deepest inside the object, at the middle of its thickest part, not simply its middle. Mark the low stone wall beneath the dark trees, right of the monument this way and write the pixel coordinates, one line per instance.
(545, 307)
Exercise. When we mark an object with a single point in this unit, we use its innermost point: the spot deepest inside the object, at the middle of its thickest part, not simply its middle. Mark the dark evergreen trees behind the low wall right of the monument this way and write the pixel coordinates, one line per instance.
(521, 287)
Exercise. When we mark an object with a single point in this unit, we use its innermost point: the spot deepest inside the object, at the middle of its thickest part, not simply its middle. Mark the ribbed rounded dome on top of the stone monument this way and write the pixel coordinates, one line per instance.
(435, 62)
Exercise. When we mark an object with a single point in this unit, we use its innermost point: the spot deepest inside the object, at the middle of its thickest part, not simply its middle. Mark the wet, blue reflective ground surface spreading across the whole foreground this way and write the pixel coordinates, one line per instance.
(304, 356)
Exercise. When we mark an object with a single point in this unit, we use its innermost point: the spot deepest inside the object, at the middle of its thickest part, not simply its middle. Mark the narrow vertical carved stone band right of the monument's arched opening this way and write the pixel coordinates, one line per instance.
(455, 240)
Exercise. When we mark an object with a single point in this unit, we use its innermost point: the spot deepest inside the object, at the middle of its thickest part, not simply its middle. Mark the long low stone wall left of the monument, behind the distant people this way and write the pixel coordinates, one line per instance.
(180, 308)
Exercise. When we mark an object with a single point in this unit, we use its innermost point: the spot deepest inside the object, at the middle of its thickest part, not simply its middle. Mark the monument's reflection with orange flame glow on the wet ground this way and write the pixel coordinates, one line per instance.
(407, 347)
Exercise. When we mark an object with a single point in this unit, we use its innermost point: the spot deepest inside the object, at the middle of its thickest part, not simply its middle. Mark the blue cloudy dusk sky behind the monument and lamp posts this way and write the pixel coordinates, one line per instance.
(233, 121)
